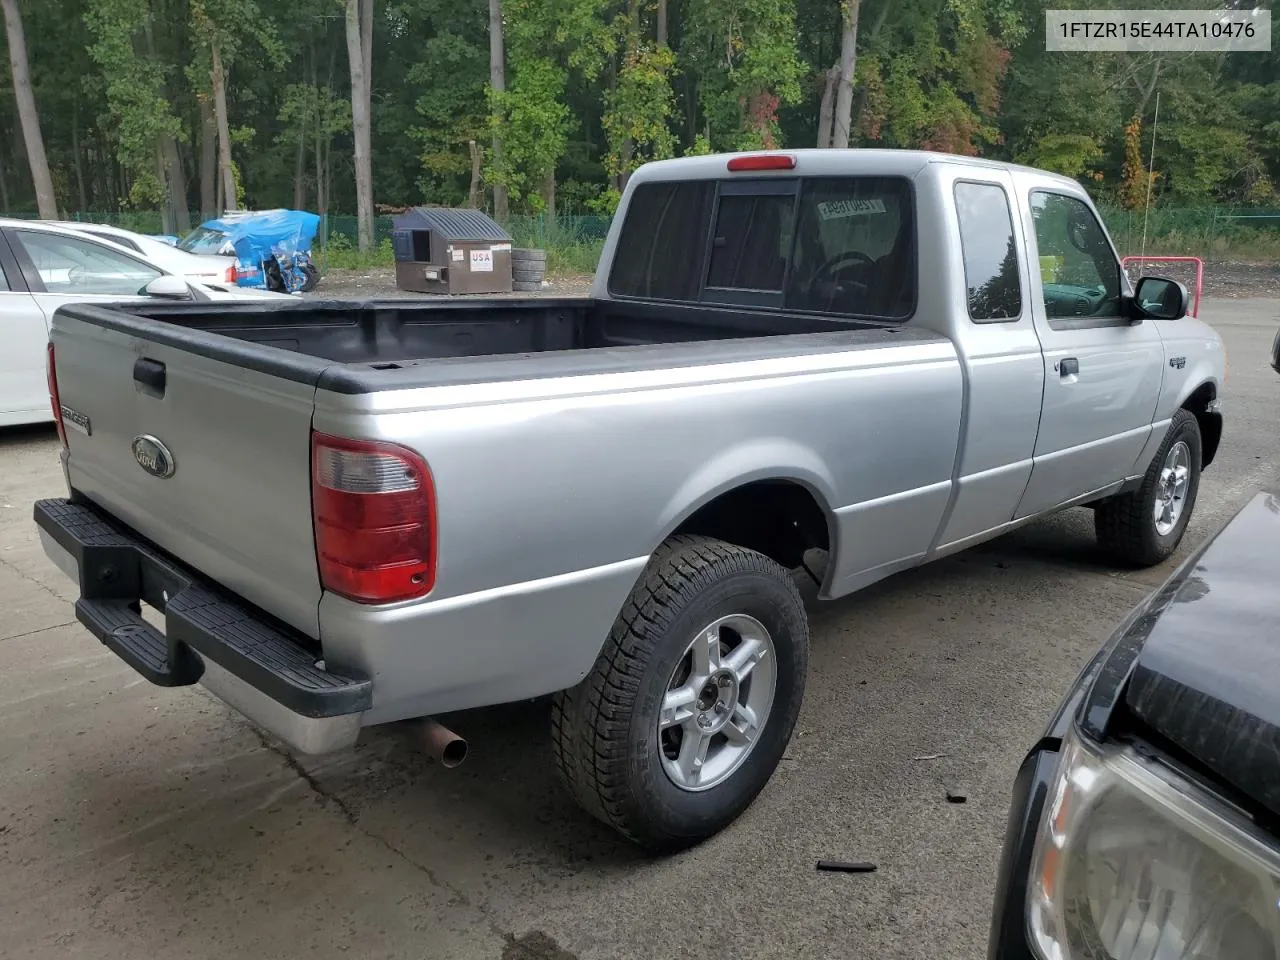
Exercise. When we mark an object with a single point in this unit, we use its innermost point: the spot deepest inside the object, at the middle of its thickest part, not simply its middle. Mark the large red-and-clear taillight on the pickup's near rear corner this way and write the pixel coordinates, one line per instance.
(374, 511)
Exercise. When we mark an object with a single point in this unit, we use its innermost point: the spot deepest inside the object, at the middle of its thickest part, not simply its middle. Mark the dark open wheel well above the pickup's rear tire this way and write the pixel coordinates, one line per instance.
(780, 519)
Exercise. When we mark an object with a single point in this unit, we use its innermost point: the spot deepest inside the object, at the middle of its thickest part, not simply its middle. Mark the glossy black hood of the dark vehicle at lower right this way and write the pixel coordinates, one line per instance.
(1208, 674)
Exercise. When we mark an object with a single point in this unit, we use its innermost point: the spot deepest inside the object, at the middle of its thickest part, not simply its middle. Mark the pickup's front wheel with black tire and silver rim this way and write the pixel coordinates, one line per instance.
(1127, 525)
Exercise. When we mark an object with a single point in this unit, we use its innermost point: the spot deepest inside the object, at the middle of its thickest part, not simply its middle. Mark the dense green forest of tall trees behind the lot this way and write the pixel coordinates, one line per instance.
(546, 107)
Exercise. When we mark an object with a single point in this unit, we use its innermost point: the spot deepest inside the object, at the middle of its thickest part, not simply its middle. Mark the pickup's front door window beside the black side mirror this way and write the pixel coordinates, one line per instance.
(1080, 273)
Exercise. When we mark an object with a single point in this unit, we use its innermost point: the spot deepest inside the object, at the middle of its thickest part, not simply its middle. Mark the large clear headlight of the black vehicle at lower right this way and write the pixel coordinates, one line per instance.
(1135, 863)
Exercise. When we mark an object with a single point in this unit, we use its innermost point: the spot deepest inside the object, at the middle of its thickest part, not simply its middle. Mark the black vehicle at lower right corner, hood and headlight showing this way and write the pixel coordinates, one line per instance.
(1146, 821)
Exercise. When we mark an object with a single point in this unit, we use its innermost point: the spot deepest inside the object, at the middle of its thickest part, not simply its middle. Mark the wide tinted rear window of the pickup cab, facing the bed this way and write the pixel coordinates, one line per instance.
(839, 246)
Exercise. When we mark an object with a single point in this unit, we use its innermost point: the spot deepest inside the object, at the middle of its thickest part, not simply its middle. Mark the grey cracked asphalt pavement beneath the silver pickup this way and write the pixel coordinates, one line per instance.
(139, 822)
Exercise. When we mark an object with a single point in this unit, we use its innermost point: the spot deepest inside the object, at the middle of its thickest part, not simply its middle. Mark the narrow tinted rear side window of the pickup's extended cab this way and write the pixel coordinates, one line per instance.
(990, 253)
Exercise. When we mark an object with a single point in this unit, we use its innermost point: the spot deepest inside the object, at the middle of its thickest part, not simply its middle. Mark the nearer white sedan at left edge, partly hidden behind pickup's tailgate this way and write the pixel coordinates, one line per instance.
(44, 267)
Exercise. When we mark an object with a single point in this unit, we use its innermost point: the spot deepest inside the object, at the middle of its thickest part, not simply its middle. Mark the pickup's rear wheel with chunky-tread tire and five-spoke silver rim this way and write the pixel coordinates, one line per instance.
(605, 732)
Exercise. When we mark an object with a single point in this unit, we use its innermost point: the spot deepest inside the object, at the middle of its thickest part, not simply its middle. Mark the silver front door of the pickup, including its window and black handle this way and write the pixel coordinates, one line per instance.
(1103, 373)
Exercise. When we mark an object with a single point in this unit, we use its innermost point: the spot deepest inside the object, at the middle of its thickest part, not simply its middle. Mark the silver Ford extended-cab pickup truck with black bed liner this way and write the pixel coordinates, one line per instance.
(354, 514)
